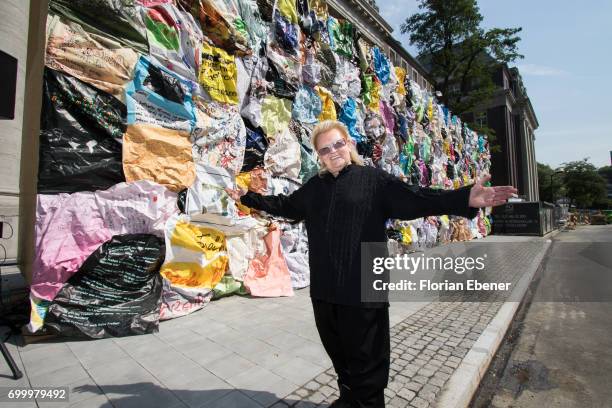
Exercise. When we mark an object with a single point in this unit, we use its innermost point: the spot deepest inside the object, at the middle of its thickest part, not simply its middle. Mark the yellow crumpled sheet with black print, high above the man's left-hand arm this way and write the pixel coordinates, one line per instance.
(219, 75)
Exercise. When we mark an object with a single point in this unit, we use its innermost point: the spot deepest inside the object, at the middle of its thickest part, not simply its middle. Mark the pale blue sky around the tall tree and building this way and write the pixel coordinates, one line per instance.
(567, 69)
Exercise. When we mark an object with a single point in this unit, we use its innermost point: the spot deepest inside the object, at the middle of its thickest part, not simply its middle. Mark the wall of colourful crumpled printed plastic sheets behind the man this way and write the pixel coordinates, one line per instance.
(152, 107)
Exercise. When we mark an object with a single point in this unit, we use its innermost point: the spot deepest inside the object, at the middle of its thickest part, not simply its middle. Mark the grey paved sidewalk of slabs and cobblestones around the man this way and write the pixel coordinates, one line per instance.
(243, 352)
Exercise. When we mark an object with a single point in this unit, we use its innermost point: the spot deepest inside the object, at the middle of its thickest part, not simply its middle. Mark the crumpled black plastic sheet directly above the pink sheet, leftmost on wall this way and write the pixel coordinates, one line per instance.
(80, 136)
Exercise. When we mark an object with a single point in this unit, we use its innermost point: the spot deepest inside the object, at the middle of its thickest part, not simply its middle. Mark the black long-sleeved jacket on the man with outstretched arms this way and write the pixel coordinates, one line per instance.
(342, 212)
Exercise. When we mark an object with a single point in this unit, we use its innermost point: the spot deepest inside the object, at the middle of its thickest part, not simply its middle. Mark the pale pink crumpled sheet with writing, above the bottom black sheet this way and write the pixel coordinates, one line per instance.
(69, 227)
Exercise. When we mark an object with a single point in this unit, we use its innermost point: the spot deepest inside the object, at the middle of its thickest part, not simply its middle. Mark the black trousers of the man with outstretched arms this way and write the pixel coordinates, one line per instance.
(357, 341)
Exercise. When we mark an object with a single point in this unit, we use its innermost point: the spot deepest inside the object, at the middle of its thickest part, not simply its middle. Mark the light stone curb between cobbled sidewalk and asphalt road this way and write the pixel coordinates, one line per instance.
(461, 386)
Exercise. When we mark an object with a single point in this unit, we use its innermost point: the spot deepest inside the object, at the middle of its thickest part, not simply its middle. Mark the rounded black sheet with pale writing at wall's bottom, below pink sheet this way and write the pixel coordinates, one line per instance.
(116, 292)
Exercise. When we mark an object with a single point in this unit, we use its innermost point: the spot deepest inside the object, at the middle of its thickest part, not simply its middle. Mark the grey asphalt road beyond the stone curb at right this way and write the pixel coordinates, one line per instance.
(562, 355)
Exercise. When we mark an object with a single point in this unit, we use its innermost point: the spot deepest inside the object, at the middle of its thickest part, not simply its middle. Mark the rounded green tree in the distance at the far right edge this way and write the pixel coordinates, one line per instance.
(584, 186)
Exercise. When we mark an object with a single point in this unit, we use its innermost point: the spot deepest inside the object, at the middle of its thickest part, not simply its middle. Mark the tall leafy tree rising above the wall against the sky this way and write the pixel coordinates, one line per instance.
(460, 54)
